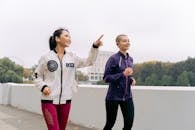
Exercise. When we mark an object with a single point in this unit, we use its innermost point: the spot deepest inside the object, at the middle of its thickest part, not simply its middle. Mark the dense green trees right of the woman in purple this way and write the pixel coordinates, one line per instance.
(156, 73)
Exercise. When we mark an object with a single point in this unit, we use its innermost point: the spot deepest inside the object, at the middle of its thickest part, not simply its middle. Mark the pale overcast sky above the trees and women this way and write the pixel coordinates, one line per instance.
(160, 30)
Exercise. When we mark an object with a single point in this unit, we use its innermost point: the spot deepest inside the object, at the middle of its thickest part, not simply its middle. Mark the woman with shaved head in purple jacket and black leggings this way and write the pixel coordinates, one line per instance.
(118, 73)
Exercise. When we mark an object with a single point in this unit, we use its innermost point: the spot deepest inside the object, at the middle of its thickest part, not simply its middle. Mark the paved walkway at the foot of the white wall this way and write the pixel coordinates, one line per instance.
(16, 119)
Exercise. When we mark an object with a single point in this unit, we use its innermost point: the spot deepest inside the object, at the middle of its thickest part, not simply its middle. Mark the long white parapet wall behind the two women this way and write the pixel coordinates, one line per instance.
(156, 108)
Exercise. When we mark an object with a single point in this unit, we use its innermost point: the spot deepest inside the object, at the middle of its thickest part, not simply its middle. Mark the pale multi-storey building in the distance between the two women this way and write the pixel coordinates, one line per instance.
(96, 71)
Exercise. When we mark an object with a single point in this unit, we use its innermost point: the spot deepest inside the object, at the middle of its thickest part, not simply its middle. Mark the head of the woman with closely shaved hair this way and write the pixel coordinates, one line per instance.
(123, 42)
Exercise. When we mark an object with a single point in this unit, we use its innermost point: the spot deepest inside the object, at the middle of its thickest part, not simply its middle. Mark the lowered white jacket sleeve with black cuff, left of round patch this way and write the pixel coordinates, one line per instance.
(39, 75)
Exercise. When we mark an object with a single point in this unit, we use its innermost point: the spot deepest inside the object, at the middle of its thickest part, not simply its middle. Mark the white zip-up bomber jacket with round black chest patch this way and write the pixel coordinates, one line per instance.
(58, 75)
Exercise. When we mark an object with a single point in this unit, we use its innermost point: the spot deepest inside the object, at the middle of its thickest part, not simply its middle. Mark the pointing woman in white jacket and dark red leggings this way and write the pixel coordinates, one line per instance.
(55, 77)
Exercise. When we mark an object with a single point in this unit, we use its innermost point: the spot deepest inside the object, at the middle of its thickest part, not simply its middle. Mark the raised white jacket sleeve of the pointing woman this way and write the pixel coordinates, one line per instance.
(84, 62)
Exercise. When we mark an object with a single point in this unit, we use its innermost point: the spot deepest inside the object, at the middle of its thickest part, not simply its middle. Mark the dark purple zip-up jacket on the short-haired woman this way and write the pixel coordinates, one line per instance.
(119, 85)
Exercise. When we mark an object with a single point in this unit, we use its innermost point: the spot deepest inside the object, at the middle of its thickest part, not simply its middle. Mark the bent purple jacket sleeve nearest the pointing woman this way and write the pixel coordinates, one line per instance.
(110, 74)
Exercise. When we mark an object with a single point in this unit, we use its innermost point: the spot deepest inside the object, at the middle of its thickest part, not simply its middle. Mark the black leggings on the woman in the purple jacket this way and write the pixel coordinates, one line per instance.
(127, 108)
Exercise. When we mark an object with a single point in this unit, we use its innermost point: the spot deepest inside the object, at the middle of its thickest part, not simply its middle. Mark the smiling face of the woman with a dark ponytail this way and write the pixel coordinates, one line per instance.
(64, 40)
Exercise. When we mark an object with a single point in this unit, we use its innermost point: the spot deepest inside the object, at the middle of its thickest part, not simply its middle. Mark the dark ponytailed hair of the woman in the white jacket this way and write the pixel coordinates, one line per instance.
(52, 40)
